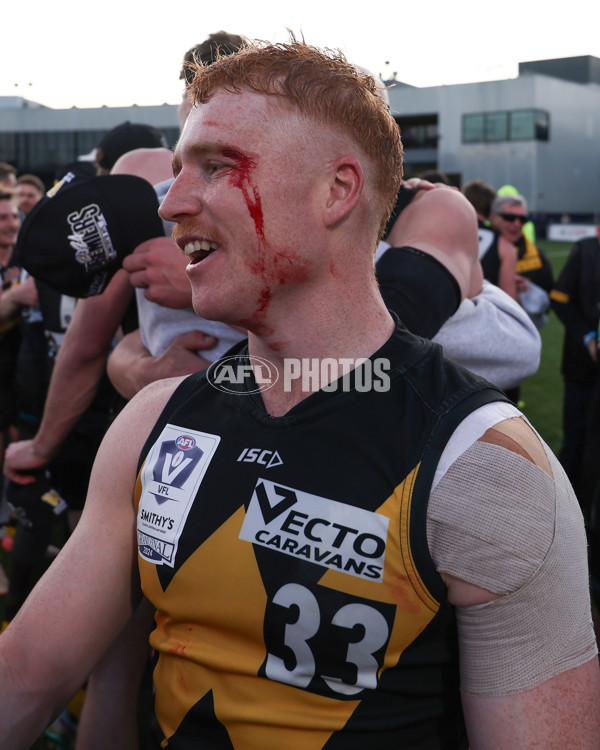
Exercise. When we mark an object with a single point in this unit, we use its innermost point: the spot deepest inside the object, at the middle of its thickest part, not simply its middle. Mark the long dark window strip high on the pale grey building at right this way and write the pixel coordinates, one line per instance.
(519, 125)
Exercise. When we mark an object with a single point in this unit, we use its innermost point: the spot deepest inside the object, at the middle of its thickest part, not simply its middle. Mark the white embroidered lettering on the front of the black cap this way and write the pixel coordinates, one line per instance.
(90, 238)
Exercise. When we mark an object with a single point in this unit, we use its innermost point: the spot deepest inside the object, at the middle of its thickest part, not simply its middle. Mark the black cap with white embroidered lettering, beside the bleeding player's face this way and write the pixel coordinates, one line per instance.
(76, 237)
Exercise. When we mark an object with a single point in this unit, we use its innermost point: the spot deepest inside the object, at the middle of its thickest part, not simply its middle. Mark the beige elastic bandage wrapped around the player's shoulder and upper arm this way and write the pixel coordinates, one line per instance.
(504, 518)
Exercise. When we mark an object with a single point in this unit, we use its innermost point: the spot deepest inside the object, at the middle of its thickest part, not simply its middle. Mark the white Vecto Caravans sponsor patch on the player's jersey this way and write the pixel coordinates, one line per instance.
(317, 529)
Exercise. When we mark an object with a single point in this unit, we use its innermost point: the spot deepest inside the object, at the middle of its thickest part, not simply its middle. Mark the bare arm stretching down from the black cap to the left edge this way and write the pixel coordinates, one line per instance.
(75, 378)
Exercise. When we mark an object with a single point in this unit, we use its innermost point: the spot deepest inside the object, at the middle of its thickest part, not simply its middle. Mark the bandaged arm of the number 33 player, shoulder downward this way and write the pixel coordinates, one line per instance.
(538, 685)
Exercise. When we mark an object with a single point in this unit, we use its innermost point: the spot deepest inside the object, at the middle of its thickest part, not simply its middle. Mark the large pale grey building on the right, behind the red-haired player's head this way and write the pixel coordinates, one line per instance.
(539, 132)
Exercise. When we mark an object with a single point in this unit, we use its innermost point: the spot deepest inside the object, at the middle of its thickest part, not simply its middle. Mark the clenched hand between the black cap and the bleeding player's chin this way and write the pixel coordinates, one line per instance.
(158, 266)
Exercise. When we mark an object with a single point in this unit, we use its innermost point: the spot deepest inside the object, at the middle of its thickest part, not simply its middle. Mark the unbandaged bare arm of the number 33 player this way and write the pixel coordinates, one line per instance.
(87, 595)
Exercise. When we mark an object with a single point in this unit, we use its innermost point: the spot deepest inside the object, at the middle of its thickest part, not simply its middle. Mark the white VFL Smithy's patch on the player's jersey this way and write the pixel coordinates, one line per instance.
(170, 477)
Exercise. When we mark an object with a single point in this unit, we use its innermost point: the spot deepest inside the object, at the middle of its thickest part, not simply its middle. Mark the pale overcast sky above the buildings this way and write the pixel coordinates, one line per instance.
(122, 52)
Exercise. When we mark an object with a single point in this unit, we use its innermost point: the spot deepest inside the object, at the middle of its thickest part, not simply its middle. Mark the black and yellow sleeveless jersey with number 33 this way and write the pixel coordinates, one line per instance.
(297, 604)
